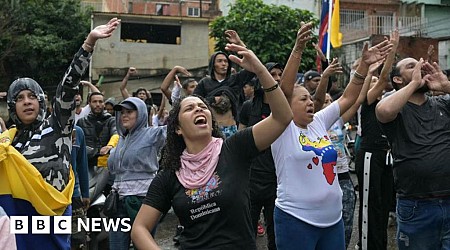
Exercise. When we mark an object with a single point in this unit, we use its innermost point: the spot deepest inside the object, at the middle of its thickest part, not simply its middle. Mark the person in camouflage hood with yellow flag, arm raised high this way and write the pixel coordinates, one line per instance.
(35, 174)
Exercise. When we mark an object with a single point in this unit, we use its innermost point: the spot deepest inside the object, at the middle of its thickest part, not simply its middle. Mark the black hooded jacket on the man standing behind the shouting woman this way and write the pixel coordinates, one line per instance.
(232, 85)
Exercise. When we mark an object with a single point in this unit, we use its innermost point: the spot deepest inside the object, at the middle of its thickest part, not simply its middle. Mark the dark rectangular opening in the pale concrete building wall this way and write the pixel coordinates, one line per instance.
(150, 33)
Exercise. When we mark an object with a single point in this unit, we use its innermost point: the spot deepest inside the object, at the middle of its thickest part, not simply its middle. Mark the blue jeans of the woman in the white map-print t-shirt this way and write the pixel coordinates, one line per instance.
(292, 233)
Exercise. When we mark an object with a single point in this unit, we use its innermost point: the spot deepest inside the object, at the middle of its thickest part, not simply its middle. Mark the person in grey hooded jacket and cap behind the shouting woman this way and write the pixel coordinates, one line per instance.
(134, 161)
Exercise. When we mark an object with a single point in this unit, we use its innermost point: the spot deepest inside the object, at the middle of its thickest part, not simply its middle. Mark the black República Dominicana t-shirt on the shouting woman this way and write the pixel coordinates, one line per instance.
(217, 215)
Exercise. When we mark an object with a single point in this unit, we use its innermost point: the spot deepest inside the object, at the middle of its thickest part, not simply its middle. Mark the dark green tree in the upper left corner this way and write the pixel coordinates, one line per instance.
(40, 38)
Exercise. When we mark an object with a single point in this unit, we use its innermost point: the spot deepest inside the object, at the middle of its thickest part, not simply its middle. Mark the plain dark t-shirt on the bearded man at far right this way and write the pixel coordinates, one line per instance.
(420, 142)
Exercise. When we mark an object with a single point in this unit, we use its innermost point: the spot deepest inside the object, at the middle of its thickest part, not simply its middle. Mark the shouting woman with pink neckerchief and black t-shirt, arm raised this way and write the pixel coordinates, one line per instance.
(205, 178)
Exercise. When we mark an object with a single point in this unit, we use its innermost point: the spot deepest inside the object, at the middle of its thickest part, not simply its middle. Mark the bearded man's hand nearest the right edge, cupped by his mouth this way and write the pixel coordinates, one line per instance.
(435, 79)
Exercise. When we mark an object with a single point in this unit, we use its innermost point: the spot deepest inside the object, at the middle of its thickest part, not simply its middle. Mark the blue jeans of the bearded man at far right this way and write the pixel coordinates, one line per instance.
(423, 224)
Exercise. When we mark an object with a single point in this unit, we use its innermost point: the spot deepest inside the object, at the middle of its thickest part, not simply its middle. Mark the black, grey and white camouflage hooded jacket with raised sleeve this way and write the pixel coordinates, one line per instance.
(47, 143)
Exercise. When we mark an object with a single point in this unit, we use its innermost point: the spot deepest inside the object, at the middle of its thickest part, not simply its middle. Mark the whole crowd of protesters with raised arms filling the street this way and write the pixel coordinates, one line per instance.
(235, 146)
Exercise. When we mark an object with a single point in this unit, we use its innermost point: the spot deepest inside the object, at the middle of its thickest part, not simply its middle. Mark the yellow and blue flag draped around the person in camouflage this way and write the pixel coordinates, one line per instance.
(23, 192)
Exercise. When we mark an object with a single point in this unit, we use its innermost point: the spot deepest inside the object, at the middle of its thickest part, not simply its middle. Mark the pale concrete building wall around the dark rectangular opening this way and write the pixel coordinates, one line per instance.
(112, 56)
